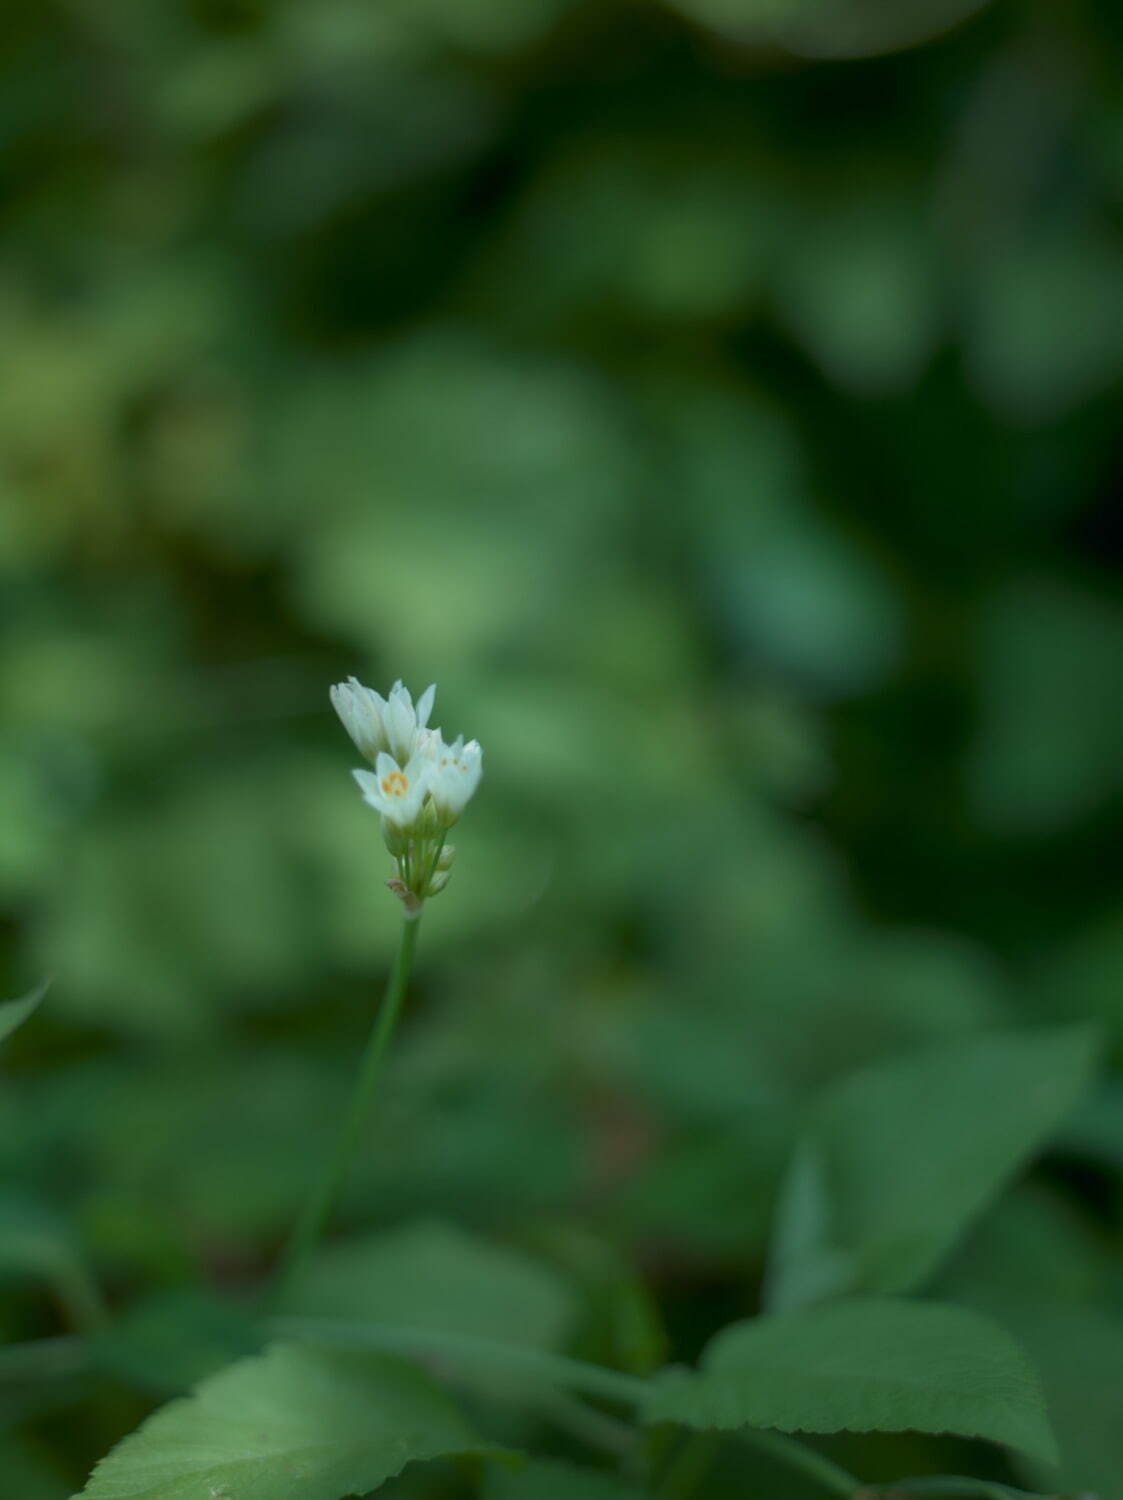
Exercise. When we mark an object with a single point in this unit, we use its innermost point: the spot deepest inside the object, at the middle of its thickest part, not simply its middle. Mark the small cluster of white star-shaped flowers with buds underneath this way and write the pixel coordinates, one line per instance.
(421, 785)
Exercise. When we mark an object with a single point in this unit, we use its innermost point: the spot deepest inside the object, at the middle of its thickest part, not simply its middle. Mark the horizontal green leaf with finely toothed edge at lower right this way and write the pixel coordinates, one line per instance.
(864, 1364)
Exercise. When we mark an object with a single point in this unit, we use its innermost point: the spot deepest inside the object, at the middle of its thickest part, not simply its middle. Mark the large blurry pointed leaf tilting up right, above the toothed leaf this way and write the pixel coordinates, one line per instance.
(902, 1157)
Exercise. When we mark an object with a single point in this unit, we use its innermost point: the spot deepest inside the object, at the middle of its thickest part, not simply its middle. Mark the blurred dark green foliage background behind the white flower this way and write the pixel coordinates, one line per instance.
(720, 401)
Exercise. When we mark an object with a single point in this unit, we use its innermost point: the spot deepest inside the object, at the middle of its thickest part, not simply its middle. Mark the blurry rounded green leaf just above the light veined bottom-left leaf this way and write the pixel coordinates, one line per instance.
(437, 1277)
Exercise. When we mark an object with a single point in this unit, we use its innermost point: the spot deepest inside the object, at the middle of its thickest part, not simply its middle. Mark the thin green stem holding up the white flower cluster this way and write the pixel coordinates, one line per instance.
(316, 1216)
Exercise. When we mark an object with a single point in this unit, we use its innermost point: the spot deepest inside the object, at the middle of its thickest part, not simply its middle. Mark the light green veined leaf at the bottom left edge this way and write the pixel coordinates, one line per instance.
(292, 1424)
